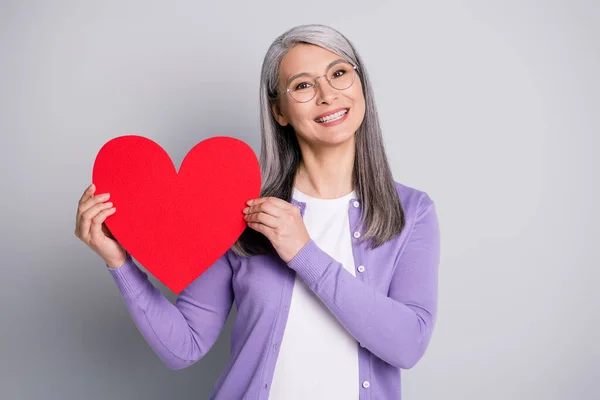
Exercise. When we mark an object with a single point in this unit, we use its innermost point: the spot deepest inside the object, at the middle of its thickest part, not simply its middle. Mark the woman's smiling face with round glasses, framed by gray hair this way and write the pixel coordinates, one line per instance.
(332, 116)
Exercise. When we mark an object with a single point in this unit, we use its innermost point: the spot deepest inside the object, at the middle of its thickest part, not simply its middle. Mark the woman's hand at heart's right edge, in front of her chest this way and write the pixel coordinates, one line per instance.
(281, 222)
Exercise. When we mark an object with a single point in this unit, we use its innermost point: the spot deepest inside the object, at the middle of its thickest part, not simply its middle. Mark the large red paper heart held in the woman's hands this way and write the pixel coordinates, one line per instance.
(177, 224)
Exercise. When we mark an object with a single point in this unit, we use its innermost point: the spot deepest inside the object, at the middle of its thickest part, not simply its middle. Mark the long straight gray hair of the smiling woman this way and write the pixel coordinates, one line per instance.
(382, 213)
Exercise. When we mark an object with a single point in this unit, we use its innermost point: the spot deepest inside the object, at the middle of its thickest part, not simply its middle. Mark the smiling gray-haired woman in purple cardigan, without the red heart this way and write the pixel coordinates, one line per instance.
(335, 278)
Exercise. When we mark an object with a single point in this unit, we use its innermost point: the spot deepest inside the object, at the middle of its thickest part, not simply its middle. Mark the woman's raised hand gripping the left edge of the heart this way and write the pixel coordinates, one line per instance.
(90, 228)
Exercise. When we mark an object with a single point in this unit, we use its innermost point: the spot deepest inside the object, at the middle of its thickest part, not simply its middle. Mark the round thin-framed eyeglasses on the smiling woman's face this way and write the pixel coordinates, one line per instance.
(303, 88)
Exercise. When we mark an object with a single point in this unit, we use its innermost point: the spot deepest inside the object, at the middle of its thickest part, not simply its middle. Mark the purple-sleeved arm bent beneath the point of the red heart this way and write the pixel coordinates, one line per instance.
(181, 333)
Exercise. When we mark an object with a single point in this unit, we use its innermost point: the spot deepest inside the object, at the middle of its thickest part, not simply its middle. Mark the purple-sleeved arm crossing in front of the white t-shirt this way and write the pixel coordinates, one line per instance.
(397, 327)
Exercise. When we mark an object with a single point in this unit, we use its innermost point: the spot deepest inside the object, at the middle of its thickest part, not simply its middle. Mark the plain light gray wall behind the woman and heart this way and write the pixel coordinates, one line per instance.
(490, 107)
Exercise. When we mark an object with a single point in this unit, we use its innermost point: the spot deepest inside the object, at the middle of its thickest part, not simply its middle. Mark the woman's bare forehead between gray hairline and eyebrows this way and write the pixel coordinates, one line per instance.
(305, 58)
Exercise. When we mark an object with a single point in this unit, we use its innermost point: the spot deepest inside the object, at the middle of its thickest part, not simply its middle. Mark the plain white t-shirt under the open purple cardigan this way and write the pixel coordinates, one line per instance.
(318, 358)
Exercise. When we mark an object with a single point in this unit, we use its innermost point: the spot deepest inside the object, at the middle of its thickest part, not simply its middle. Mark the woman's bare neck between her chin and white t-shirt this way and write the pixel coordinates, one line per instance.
(326, 172)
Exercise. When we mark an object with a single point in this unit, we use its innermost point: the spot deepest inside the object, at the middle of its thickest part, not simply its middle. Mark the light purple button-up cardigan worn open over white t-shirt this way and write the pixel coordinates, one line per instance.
(389, 306)
